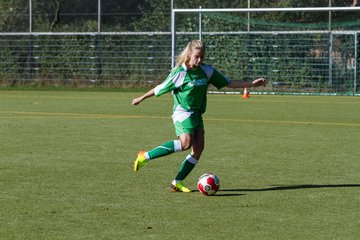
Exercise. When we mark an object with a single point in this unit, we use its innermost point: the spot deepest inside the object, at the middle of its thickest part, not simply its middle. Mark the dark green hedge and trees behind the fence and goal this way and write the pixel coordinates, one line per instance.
(296, 61)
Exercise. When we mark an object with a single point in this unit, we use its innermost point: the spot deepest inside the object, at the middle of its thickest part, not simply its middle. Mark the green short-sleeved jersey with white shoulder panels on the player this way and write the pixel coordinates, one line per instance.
(189, 87)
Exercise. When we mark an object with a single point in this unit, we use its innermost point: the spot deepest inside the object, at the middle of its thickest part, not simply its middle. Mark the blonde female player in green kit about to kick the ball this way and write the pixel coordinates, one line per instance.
(189, 82)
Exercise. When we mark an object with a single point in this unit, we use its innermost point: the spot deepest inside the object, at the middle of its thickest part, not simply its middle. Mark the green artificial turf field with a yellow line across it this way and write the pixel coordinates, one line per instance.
(288, 165)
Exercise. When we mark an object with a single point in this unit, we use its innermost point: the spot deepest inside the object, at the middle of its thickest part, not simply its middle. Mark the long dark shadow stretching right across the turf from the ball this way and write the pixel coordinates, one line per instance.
(282, 188)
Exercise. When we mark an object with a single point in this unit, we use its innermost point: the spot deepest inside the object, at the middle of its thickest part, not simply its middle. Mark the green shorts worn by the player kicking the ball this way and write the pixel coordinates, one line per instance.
(189, 124)
